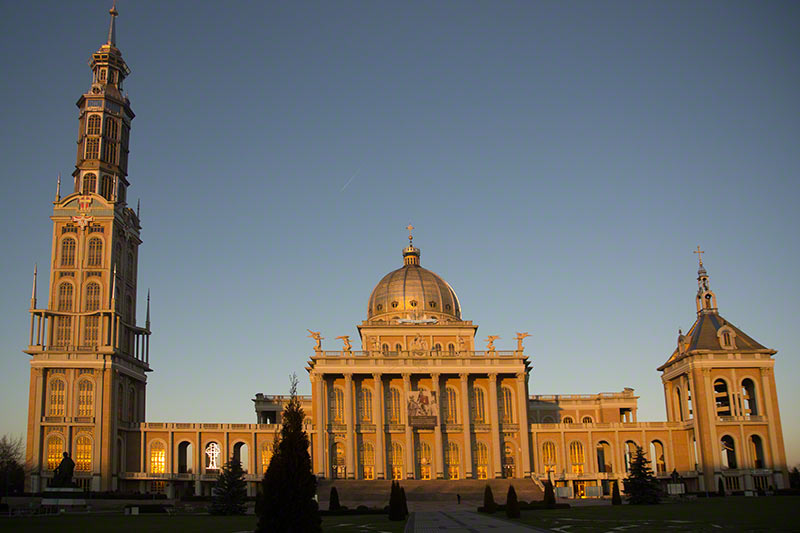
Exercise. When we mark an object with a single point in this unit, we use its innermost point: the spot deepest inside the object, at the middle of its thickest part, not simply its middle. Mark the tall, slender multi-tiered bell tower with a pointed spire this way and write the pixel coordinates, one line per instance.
(88, 355)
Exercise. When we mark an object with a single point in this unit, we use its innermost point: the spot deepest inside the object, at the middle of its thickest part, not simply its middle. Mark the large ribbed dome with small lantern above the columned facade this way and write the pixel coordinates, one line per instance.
(413, 293)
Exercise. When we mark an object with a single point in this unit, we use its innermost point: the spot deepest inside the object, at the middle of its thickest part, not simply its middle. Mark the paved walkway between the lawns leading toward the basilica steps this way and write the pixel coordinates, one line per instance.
(461, 522)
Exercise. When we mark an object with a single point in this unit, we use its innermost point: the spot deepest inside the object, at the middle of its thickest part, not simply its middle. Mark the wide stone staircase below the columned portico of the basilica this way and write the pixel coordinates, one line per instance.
(353, 493)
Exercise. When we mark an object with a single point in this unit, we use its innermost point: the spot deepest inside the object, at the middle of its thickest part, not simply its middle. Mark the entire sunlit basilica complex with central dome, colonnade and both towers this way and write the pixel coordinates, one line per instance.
(423, 398)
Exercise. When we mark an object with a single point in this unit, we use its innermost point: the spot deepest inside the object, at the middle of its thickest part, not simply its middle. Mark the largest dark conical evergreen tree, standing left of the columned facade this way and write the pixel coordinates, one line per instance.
(286, 501)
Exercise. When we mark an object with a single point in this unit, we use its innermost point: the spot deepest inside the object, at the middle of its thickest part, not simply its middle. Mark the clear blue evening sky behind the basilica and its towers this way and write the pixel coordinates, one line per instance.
(561, 160)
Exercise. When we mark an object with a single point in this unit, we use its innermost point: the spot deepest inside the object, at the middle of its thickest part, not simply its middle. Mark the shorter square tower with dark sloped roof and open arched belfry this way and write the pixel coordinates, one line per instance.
(720, 384)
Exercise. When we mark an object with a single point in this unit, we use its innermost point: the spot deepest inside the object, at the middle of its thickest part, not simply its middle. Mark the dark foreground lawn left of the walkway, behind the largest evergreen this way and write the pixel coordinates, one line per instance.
(179, 523)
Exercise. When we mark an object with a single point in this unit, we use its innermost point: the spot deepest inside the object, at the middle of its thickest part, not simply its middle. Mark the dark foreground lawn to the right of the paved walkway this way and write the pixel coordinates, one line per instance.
(777, 513)
